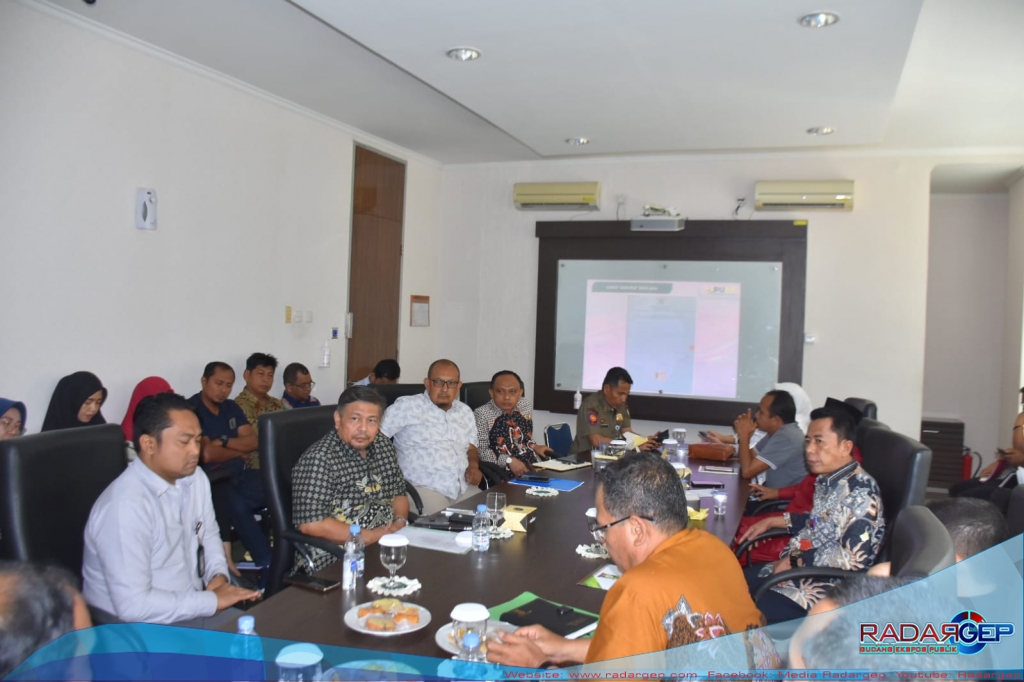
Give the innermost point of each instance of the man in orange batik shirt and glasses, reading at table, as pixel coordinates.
(679, 585)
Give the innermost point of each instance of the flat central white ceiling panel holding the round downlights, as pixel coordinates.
(653, 75)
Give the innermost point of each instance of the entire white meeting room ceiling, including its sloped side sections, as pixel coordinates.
(634, 77)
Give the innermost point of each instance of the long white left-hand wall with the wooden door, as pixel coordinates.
(254, 214)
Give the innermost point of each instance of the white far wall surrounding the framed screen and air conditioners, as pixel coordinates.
(868, 271)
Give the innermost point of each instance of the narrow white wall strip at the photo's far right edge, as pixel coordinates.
(1013, 348)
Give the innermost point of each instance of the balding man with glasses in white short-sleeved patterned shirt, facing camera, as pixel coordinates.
(436, 437)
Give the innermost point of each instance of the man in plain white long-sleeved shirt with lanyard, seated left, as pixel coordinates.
(153, 551)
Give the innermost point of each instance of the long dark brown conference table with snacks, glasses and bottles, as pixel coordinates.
(543, 562)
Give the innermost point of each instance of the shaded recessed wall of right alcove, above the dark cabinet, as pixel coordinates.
(966, 307)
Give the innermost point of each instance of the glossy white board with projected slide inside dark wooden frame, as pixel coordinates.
(690, 329)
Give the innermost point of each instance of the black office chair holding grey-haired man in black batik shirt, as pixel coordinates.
(284, 438)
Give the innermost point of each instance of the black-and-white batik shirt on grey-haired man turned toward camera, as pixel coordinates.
(332, 481)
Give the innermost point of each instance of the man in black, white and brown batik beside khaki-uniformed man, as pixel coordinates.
(505, 427)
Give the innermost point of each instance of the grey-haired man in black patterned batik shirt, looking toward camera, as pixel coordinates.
(351, 476)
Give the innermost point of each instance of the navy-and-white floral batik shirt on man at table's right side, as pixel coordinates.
(844, 530)
